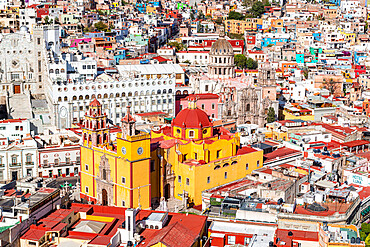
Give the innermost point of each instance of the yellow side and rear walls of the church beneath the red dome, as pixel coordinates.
(198, 175)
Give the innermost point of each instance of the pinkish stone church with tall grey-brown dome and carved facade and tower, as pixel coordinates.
(241, 98)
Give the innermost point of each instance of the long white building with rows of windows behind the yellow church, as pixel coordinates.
(147, 88)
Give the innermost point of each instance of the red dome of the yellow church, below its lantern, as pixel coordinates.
(192, 118)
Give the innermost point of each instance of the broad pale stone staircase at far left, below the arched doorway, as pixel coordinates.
(19, 106)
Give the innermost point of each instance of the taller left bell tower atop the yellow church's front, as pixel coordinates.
(95, 129)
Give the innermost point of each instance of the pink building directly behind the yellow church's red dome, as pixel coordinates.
(208, 102)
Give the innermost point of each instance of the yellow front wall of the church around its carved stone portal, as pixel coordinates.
(136, 172)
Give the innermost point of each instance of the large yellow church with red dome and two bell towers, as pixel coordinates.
(178, 161)
